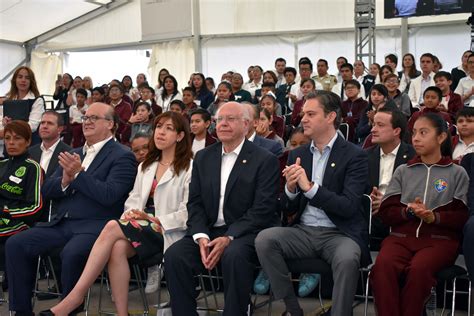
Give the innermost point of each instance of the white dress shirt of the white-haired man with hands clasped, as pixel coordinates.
(227, 164)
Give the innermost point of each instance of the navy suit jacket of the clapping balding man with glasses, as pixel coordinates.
(97, 194)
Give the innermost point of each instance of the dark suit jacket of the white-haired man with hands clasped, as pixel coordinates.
(250, 202)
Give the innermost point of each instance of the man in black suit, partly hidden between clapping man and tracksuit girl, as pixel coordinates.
(389, 152)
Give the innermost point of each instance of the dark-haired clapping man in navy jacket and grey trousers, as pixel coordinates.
(325, 181)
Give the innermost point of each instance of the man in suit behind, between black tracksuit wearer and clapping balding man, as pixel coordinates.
(47, 153)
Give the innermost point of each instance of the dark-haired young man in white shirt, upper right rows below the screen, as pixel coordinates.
(425, 80)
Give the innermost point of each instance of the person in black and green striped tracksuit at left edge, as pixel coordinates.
(20, 192)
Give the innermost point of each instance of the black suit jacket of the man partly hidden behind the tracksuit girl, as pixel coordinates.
(405, 153)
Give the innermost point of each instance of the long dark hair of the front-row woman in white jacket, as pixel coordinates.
(183, 151)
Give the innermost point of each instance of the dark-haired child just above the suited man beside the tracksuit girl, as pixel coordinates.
(377, 99)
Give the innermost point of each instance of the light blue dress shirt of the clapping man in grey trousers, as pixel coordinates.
(313, 216)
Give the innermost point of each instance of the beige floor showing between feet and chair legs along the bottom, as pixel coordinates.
(310, 305)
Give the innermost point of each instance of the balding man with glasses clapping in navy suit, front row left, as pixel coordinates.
(91, 184)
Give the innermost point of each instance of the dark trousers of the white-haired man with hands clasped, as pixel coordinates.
(183, 263)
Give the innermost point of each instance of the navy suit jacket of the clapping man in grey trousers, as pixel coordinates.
(340, 195)
